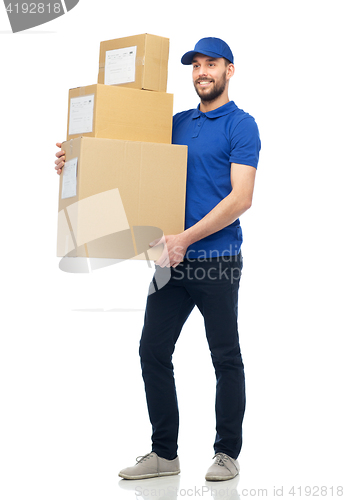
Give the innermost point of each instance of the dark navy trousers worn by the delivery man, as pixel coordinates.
(211, 285)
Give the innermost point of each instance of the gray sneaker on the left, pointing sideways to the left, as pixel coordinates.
(151, 465)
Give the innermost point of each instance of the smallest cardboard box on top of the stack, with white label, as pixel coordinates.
(139, 62)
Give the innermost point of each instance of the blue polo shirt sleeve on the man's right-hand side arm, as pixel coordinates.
(245, 143)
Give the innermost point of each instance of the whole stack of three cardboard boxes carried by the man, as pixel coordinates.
(123, 183)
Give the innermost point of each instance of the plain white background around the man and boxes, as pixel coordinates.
(73, 410)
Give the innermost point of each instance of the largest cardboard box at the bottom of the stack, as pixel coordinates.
(118, 196)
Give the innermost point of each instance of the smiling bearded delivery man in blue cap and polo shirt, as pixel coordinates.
(206, 262)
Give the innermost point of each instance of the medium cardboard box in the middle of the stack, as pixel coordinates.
(119, 113)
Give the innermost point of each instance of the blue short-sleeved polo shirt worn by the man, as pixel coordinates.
(215, 140)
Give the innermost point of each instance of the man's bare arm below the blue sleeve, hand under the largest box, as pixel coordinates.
(222, 215)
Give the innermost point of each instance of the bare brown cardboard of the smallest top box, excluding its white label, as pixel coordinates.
(151, 65)
